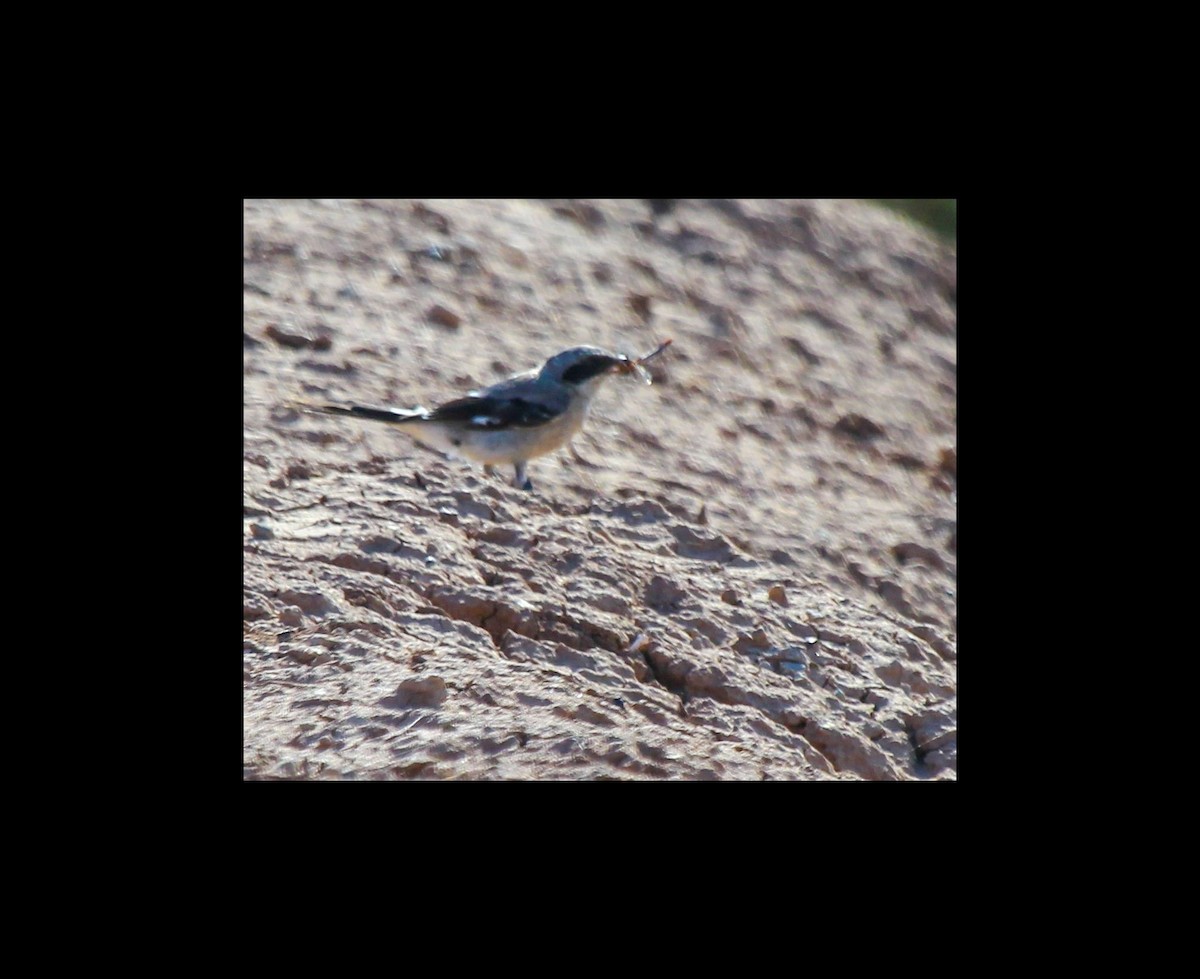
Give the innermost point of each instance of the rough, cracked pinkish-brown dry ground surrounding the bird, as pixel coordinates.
(743, 572)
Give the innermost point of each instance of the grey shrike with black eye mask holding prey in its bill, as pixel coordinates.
(517, 421)
